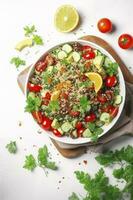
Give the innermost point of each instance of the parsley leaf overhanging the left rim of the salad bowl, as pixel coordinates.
(33, 104)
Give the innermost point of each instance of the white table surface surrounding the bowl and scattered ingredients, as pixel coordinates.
(15, 182)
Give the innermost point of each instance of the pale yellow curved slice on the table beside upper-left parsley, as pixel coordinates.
(24, 43)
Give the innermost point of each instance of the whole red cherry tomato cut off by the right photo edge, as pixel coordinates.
(125, 41)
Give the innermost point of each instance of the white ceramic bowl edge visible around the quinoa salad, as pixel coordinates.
(106, 128)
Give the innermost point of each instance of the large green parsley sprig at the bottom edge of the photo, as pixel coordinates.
(98, 187)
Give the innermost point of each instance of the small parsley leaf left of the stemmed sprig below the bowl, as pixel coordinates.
(30, 163)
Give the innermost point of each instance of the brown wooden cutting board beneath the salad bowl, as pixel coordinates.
(71, 153)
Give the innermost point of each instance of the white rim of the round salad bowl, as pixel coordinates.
(80, 141)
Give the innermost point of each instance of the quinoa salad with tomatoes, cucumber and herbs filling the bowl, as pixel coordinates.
(74, 91)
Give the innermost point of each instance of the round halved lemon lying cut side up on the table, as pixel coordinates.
(66, 18)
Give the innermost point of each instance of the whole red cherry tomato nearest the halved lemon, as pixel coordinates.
(104, 25)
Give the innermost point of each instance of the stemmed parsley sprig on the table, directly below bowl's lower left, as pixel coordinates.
(43, 159)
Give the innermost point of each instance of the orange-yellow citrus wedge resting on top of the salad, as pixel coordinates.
(96, 79)
